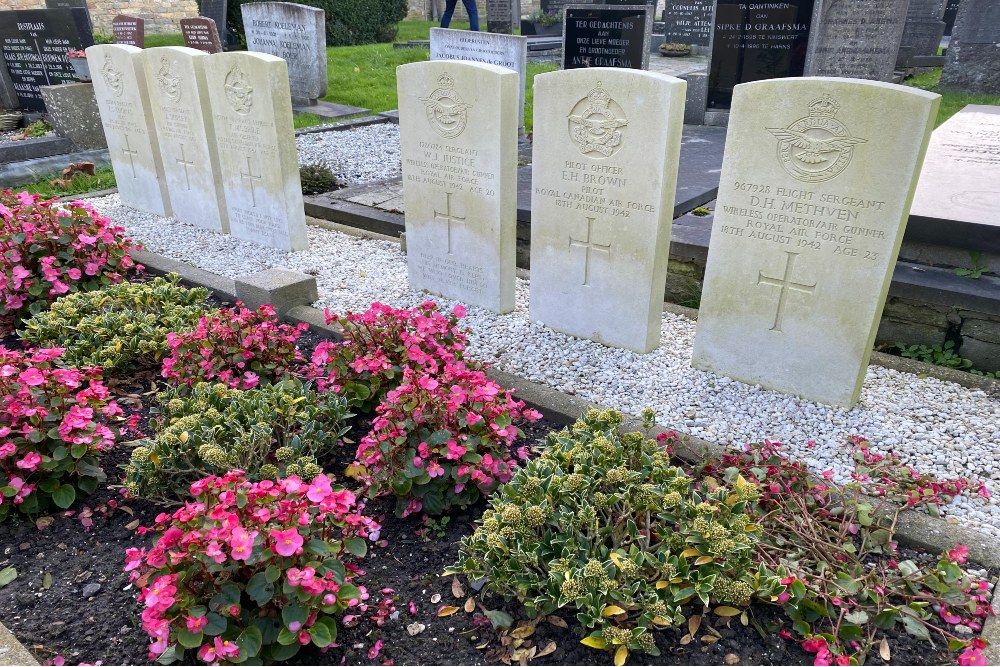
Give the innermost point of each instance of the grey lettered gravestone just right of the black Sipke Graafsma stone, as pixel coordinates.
(857, 39)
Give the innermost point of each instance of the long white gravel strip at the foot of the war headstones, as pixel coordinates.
(933, 425)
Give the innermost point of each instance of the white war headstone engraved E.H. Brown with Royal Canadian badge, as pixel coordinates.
(606, 147)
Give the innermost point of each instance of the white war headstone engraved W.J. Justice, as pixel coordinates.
(458, 134)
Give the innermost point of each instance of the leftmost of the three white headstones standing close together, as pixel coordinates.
(122, 99)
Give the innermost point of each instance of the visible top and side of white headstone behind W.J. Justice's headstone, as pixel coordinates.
(510, 51)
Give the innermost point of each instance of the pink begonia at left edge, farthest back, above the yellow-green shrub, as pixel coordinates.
(49, 249)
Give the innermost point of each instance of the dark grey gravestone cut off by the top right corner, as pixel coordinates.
(974, 52)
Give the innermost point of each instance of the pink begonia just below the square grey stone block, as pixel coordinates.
(238, 347)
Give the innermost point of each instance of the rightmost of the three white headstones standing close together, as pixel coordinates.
(255, 140)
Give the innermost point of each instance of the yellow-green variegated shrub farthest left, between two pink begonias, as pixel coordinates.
(119, 327)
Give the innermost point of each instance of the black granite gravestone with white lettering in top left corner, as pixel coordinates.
(33, 44)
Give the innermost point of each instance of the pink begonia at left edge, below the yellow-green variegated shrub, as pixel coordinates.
(49, 430)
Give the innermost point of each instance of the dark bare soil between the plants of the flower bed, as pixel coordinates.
(71, 597)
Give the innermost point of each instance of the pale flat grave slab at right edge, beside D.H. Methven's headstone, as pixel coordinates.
(960, 181)
